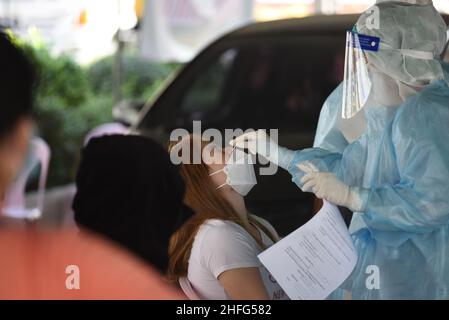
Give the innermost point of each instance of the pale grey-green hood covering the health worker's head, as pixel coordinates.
(403, 26)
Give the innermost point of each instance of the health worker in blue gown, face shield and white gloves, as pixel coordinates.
(382, 150)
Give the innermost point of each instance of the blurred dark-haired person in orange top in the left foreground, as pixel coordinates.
(51, 263)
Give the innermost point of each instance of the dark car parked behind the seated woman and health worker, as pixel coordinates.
(266, 75)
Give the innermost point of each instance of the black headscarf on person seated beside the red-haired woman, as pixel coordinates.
(129, 191)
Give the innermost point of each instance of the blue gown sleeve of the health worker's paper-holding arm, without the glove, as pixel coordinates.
(419, 201)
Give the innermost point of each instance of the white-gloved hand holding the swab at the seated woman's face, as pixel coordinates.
(258, 142)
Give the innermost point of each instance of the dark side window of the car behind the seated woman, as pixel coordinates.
(265, 85)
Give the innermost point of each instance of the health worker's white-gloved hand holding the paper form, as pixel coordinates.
(326, 186)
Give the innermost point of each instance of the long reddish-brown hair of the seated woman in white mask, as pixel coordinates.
(208, 203)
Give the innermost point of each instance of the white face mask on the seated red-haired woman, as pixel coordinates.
(240, 172)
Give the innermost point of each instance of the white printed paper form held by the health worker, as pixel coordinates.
(311, 262)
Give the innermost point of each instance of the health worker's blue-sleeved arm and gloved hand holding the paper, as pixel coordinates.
(418, 202)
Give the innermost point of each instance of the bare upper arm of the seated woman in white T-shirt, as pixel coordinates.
(253, 288)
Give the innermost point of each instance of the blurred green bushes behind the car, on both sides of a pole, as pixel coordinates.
(71, 100)
